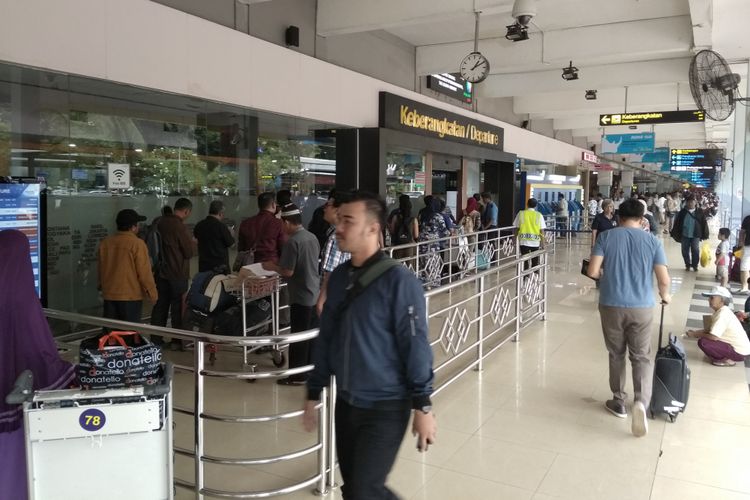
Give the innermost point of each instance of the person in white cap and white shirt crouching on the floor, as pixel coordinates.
(725, 342)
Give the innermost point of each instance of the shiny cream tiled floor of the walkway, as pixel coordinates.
(532, 425)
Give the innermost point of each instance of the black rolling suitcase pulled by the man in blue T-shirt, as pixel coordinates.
(671, 377)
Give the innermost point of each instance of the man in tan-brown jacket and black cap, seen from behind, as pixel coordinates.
(125, 270)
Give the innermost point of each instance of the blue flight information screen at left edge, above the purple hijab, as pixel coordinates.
(21, 209)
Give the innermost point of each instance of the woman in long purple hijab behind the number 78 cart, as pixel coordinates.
(25, 344)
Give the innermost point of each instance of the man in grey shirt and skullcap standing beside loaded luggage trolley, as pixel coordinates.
(299, 265)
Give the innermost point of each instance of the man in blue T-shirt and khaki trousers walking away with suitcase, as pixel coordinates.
(626, 302)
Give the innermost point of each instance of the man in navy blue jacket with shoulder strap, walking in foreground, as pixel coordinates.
(374, 339)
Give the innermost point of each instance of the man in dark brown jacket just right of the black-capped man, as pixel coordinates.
(173, 275)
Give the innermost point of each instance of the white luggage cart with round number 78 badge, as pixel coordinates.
(105, 443)
